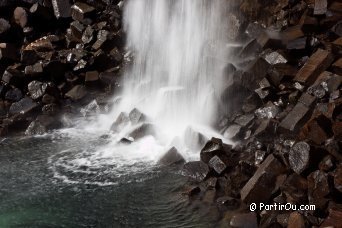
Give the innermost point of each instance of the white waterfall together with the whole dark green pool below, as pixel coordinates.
(83, 177)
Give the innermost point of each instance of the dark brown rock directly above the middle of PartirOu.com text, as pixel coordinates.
(295, 189)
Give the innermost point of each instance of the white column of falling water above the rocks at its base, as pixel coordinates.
(178, 48)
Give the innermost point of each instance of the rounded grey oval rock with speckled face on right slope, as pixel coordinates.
(299, 157)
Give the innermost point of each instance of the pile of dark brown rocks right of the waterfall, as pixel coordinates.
(284, 108)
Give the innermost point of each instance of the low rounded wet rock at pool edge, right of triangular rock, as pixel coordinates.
(197, 170)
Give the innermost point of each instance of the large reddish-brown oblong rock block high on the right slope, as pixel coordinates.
(316, 64)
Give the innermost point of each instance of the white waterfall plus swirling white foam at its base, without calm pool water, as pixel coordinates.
(174, 79)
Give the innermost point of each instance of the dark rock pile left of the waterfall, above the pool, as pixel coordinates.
(56, 56)
